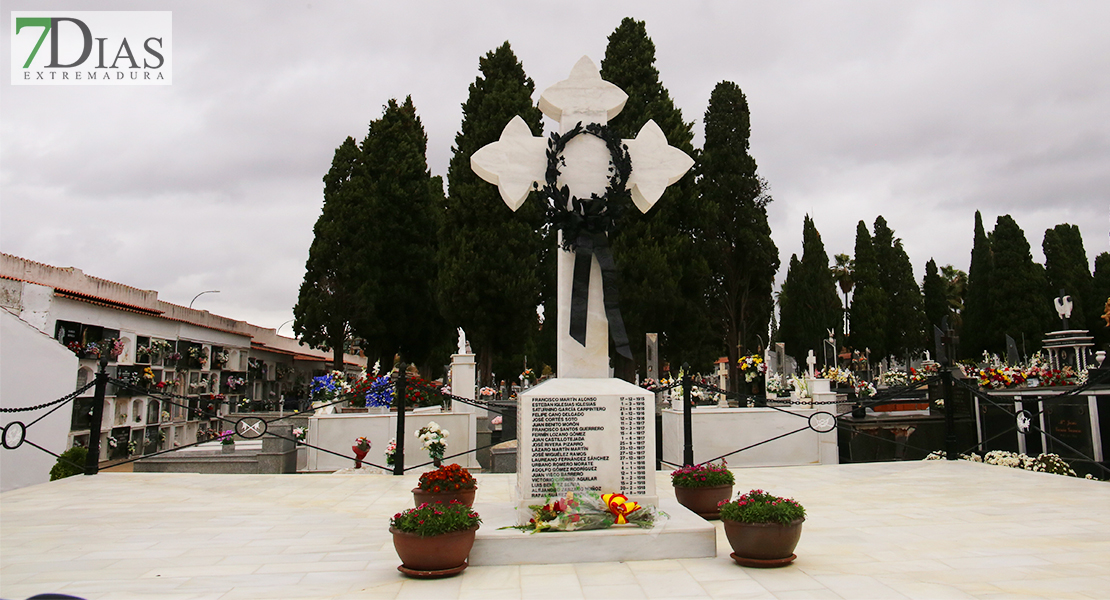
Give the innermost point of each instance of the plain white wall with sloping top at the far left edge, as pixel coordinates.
(34, 370)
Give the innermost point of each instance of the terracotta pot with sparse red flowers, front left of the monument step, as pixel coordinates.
(435, 540)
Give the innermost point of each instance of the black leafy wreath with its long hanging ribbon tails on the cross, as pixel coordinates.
(587, 225)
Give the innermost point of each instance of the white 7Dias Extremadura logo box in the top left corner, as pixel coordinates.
(110, 48)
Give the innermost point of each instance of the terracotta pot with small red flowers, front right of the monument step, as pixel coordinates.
(763, 528)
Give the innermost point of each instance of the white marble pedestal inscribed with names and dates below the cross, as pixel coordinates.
(592, 433)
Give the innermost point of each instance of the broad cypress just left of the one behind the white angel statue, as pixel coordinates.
(1017, 291)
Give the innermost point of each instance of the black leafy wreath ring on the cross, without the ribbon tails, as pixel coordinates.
(576, 217)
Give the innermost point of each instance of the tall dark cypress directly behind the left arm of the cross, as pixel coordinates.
(495, 263)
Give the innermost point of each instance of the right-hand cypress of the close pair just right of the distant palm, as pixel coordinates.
(905, 332)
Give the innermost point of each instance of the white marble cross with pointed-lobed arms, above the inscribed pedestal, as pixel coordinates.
(518, 164)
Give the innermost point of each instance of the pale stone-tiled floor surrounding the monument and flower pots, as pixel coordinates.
(876, 531)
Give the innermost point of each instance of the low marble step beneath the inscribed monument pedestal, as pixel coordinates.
(682, 535)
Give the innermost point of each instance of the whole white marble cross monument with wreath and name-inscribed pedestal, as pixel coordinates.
(583, 426)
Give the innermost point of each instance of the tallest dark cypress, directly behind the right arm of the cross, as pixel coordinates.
(663, 277)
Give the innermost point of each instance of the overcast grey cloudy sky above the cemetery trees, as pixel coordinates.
(923, 113)
